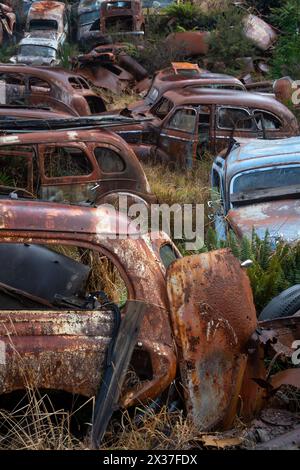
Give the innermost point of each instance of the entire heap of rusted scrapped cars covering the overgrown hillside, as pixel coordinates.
(184, 327)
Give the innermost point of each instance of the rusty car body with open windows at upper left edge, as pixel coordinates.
(58, 89)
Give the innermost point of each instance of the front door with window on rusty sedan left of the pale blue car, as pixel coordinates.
(178, 138)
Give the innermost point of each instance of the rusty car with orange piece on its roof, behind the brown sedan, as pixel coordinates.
(184, 75)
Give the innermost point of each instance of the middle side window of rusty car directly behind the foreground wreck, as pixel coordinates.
(66, 161)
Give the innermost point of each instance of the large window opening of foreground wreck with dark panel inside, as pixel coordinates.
(59, 276)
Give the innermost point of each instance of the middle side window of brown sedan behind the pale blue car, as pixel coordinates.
(240, 119)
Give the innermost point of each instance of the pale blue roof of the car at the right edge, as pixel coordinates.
(261, 153)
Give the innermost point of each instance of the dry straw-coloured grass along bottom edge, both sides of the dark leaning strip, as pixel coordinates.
(37, 425)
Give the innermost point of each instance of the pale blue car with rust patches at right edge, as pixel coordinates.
(257, 188)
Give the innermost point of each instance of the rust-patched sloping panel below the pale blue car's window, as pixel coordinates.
(281, 219)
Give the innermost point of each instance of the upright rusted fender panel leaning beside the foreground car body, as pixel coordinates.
(213, 318)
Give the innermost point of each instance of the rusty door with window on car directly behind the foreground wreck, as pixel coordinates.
(69, 173)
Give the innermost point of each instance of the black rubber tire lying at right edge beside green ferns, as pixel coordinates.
(286, 304)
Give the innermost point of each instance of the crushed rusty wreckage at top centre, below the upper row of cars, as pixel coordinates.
(110, 67)
